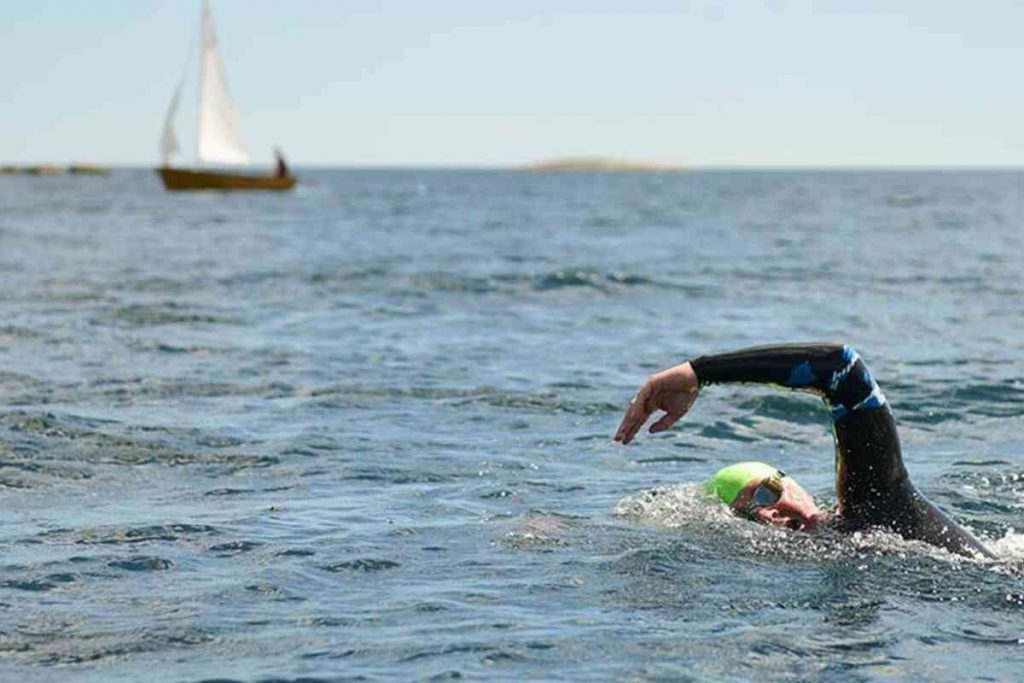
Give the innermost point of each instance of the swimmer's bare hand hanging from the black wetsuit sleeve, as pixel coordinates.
(672, 391)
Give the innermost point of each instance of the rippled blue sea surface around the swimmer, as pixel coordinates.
(363, 432)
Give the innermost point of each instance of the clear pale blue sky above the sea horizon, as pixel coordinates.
(494, 83)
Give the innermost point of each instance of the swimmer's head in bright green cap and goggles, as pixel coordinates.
(764, 493)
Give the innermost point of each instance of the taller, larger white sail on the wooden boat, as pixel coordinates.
(220, 142)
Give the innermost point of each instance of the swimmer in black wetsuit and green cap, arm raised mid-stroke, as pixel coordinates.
(872, 484)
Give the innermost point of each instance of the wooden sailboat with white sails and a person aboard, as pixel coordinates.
(219, 140)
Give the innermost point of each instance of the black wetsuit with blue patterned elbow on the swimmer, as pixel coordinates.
(872, 483)
